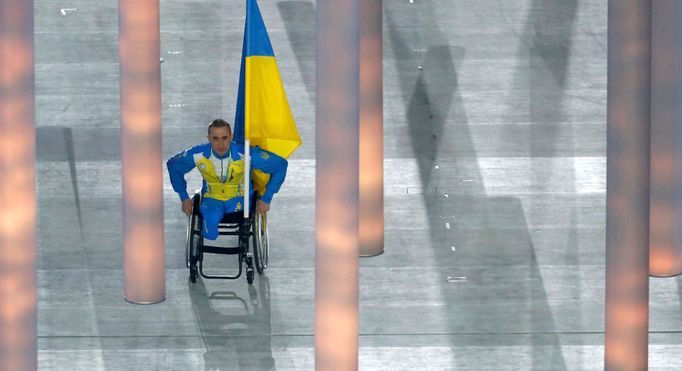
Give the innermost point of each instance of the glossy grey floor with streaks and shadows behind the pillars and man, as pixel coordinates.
(495, 194)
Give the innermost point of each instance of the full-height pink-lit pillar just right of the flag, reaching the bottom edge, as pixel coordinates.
(337, 195)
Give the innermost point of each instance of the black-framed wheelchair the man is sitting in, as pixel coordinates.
(233, 224)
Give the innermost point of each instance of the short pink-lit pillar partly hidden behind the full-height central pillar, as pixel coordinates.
(371, 222)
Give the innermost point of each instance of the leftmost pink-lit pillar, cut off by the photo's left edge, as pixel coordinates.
(18, 296)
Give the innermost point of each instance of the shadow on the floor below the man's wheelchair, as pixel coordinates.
(236, 332)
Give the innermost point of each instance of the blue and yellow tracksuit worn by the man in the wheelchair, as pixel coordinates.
(222, 187)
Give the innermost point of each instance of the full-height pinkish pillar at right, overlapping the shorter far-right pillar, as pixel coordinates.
(627, 184)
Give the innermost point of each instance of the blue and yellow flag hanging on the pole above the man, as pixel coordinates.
(262, 114)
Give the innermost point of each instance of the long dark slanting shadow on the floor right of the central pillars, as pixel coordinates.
(435, 109)
